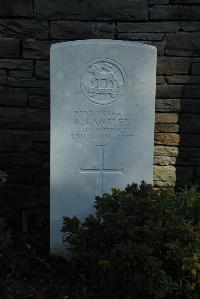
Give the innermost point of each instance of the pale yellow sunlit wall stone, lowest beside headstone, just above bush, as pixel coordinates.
(165, 175)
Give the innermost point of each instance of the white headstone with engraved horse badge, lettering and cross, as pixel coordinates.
(102, 123)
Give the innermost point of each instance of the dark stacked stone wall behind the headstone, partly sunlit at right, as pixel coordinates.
(29, 27)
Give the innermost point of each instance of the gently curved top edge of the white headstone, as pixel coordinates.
(103, 42)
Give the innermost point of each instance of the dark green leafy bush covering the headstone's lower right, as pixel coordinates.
(142, 243)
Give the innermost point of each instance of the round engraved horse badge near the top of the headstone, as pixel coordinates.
(103, 81)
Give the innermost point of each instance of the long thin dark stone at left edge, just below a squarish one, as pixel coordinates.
(12, 64)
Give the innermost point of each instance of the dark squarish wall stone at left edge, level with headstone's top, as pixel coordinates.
(9, 48)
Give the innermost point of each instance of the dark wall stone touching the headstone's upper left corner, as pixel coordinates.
(36, 49)
